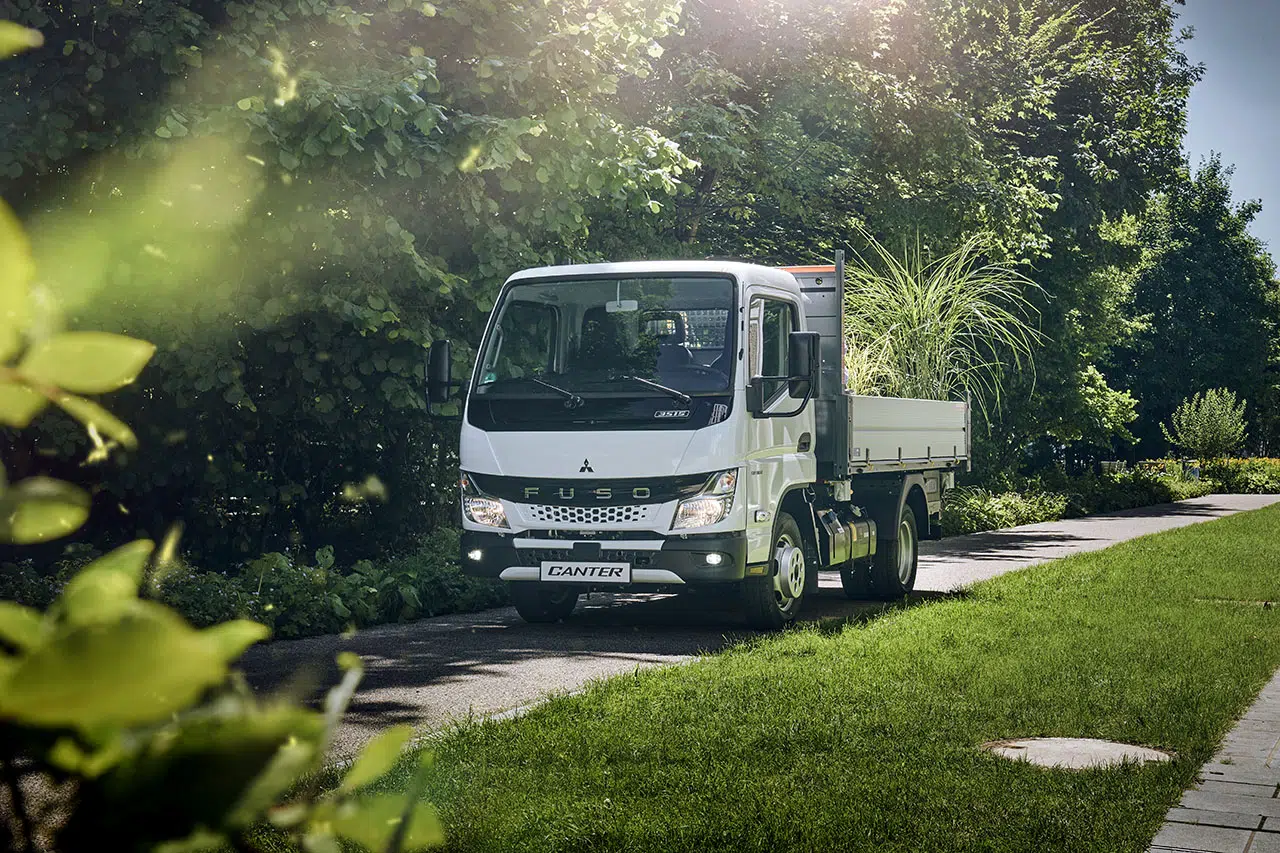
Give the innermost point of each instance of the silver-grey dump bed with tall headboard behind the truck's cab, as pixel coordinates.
(866, 435)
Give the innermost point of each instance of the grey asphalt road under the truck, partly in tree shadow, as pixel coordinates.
(437, 670)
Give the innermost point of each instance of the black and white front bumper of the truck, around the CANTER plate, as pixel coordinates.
(655, 563)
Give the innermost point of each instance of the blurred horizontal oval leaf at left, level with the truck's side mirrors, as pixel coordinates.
(88, 363)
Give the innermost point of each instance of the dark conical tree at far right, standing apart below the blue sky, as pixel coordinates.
(1209, 303)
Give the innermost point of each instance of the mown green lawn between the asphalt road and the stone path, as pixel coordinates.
(865, 737)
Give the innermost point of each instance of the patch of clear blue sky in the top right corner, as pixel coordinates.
(1236, 108)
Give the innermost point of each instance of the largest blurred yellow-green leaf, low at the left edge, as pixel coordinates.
(139, 669)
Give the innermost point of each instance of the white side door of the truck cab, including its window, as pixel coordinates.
(780, 448)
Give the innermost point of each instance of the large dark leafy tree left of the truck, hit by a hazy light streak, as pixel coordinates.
(298, 199)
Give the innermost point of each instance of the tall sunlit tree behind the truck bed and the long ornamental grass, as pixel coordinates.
(1044, 124)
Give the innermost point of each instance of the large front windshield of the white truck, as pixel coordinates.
(600, 336)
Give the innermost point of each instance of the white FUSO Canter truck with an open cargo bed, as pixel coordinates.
(670, 426)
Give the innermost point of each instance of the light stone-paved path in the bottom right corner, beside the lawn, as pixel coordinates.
(1233, 808)
